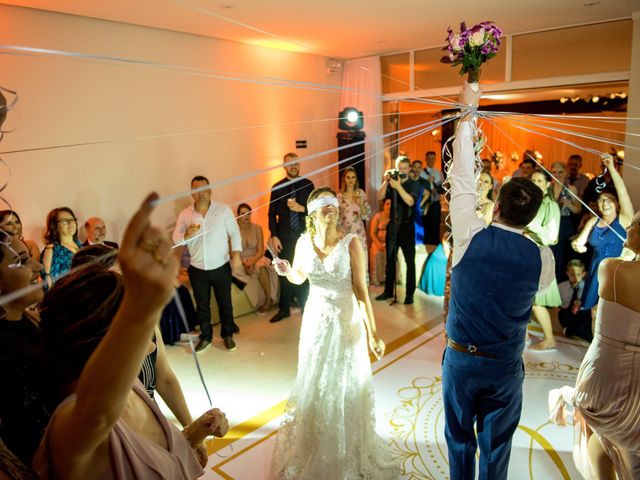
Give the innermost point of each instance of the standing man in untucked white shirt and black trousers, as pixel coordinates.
(208, 228)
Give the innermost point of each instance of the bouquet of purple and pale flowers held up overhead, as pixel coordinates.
(472, 47)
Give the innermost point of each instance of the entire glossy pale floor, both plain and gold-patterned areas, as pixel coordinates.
(252, 383)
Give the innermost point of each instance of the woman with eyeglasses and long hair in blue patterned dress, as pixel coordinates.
(62, 243)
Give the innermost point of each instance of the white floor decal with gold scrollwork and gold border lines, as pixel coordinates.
(410, 416)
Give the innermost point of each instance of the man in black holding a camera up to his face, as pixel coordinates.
(403, 193)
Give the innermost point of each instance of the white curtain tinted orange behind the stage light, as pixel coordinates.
(362, 89)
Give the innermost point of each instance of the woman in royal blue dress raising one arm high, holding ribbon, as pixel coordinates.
(606, 234)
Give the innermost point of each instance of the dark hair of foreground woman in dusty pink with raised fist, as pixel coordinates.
(74, 318)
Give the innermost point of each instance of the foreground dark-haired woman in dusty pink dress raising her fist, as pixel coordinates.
(97, 325)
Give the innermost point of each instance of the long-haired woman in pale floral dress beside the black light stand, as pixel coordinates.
(354, 208)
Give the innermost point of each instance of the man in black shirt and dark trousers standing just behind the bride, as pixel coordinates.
(287, 214)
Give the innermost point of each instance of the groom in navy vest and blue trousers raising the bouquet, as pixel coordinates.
(496, 273)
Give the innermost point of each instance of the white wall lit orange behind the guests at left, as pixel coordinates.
(70, 101)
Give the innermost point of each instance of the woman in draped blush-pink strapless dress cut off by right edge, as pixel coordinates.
(607, 393)
